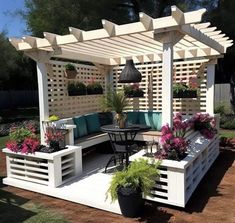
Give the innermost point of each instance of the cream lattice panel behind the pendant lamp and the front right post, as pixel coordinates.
(152, 86)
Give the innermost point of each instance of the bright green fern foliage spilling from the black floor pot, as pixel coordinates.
(139, 174)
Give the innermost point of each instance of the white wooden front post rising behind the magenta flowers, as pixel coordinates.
(167, 81)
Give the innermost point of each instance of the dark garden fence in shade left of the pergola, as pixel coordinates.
(14, 99)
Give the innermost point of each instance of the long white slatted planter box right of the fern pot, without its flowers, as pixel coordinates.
(179, 179)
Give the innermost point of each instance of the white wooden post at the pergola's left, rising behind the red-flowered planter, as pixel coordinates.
(43, 96)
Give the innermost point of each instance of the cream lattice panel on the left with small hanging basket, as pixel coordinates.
(67, 106)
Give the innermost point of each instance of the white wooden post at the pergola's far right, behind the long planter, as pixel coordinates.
(210, 86)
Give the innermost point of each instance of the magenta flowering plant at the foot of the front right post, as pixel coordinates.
(173, 143)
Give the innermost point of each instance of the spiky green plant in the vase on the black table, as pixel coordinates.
(114, 101)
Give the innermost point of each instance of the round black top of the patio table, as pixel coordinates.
(129, 128)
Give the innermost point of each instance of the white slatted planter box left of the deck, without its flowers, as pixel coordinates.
(51, 169)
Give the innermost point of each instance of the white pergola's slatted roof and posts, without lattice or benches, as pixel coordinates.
(180, 36)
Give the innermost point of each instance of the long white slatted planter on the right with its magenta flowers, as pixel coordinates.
(186, 156)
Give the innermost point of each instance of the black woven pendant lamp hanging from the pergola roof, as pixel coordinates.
(129, 74)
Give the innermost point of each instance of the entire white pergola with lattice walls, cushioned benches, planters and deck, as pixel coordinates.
(177, 47)
